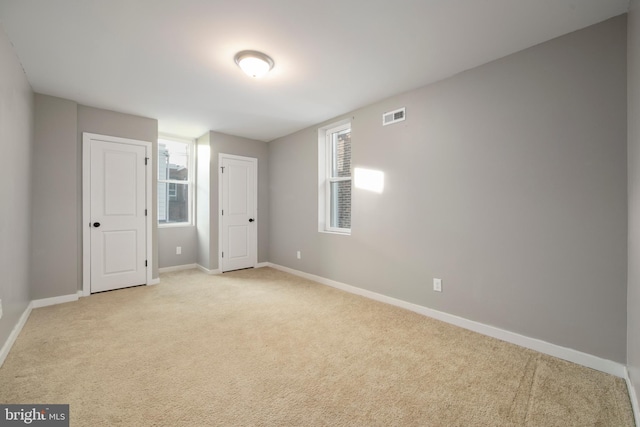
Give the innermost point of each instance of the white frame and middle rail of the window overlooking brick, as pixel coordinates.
(324, 177)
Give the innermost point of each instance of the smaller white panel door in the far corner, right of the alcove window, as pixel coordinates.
(238, 212)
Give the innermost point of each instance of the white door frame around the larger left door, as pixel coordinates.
(86, 203)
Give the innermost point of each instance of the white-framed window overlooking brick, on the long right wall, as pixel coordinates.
(334, 166)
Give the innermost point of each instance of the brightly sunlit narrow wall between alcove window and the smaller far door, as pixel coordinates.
(203, 201)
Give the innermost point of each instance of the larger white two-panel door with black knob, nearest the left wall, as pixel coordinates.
(118, 217)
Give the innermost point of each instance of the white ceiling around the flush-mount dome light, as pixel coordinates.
(173, 59)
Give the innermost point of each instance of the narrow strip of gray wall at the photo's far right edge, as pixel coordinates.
(633, 120)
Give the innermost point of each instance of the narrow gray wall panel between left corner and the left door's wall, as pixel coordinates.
(55, 254)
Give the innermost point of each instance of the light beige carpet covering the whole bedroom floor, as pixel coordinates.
(264, 348)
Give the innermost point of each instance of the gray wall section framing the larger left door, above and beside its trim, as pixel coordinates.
(105, 122)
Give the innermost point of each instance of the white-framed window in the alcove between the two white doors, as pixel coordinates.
(175, 178)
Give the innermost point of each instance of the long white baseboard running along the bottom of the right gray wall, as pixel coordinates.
(575, 356)
